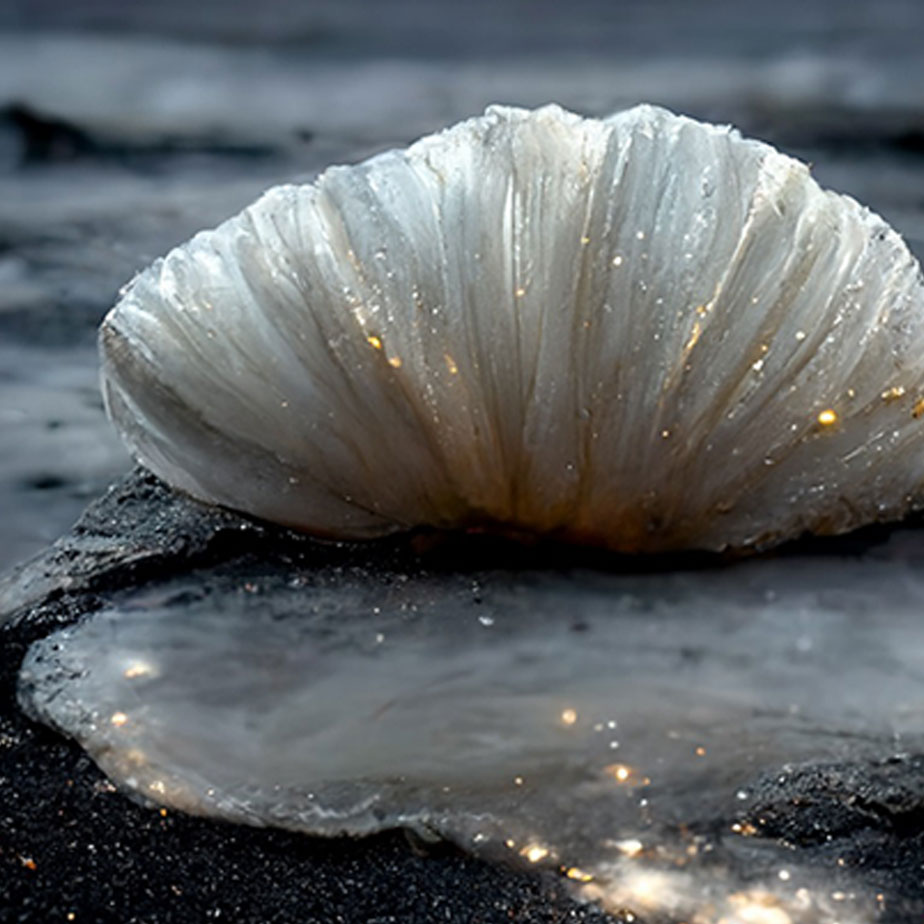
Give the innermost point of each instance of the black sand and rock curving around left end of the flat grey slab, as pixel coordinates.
(71, 845)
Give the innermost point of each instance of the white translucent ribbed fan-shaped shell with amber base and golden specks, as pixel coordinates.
(642, 332)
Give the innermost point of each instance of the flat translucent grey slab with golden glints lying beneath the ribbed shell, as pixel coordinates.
(606, 726)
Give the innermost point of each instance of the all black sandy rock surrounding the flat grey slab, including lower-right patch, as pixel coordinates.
(70, 843)
